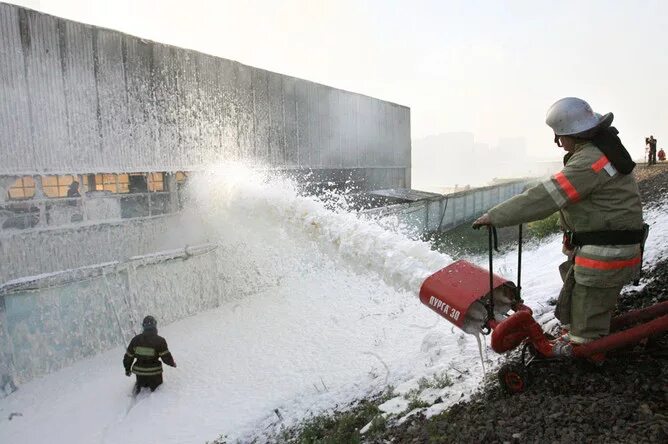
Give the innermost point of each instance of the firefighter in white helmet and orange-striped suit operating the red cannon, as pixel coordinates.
(600, 211)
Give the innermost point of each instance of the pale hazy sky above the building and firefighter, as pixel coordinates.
(488, 67)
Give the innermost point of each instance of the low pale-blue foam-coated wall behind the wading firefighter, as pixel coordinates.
(49, 322)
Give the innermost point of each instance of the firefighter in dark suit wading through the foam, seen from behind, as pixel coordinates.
(147, 348)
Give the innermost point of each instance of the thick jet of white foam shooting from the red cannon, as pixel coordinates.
(236, 202)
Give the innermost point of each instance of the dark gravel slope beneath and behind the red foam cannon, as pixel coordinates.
(623, 400)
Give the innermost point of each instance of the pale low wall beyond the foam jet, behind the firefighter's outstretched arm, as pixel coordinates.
(451, 210)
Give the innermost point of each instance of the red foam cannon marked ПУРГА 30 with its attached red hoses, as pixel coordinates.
(463, 294)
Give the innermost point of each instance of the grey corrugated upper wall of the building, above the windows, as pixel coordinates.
(81, 99)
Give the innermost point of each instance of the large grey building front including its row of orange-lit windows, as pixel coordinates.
(99, 127)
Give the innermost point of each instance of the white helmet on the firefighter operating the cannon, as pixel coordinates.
(572, 116)
